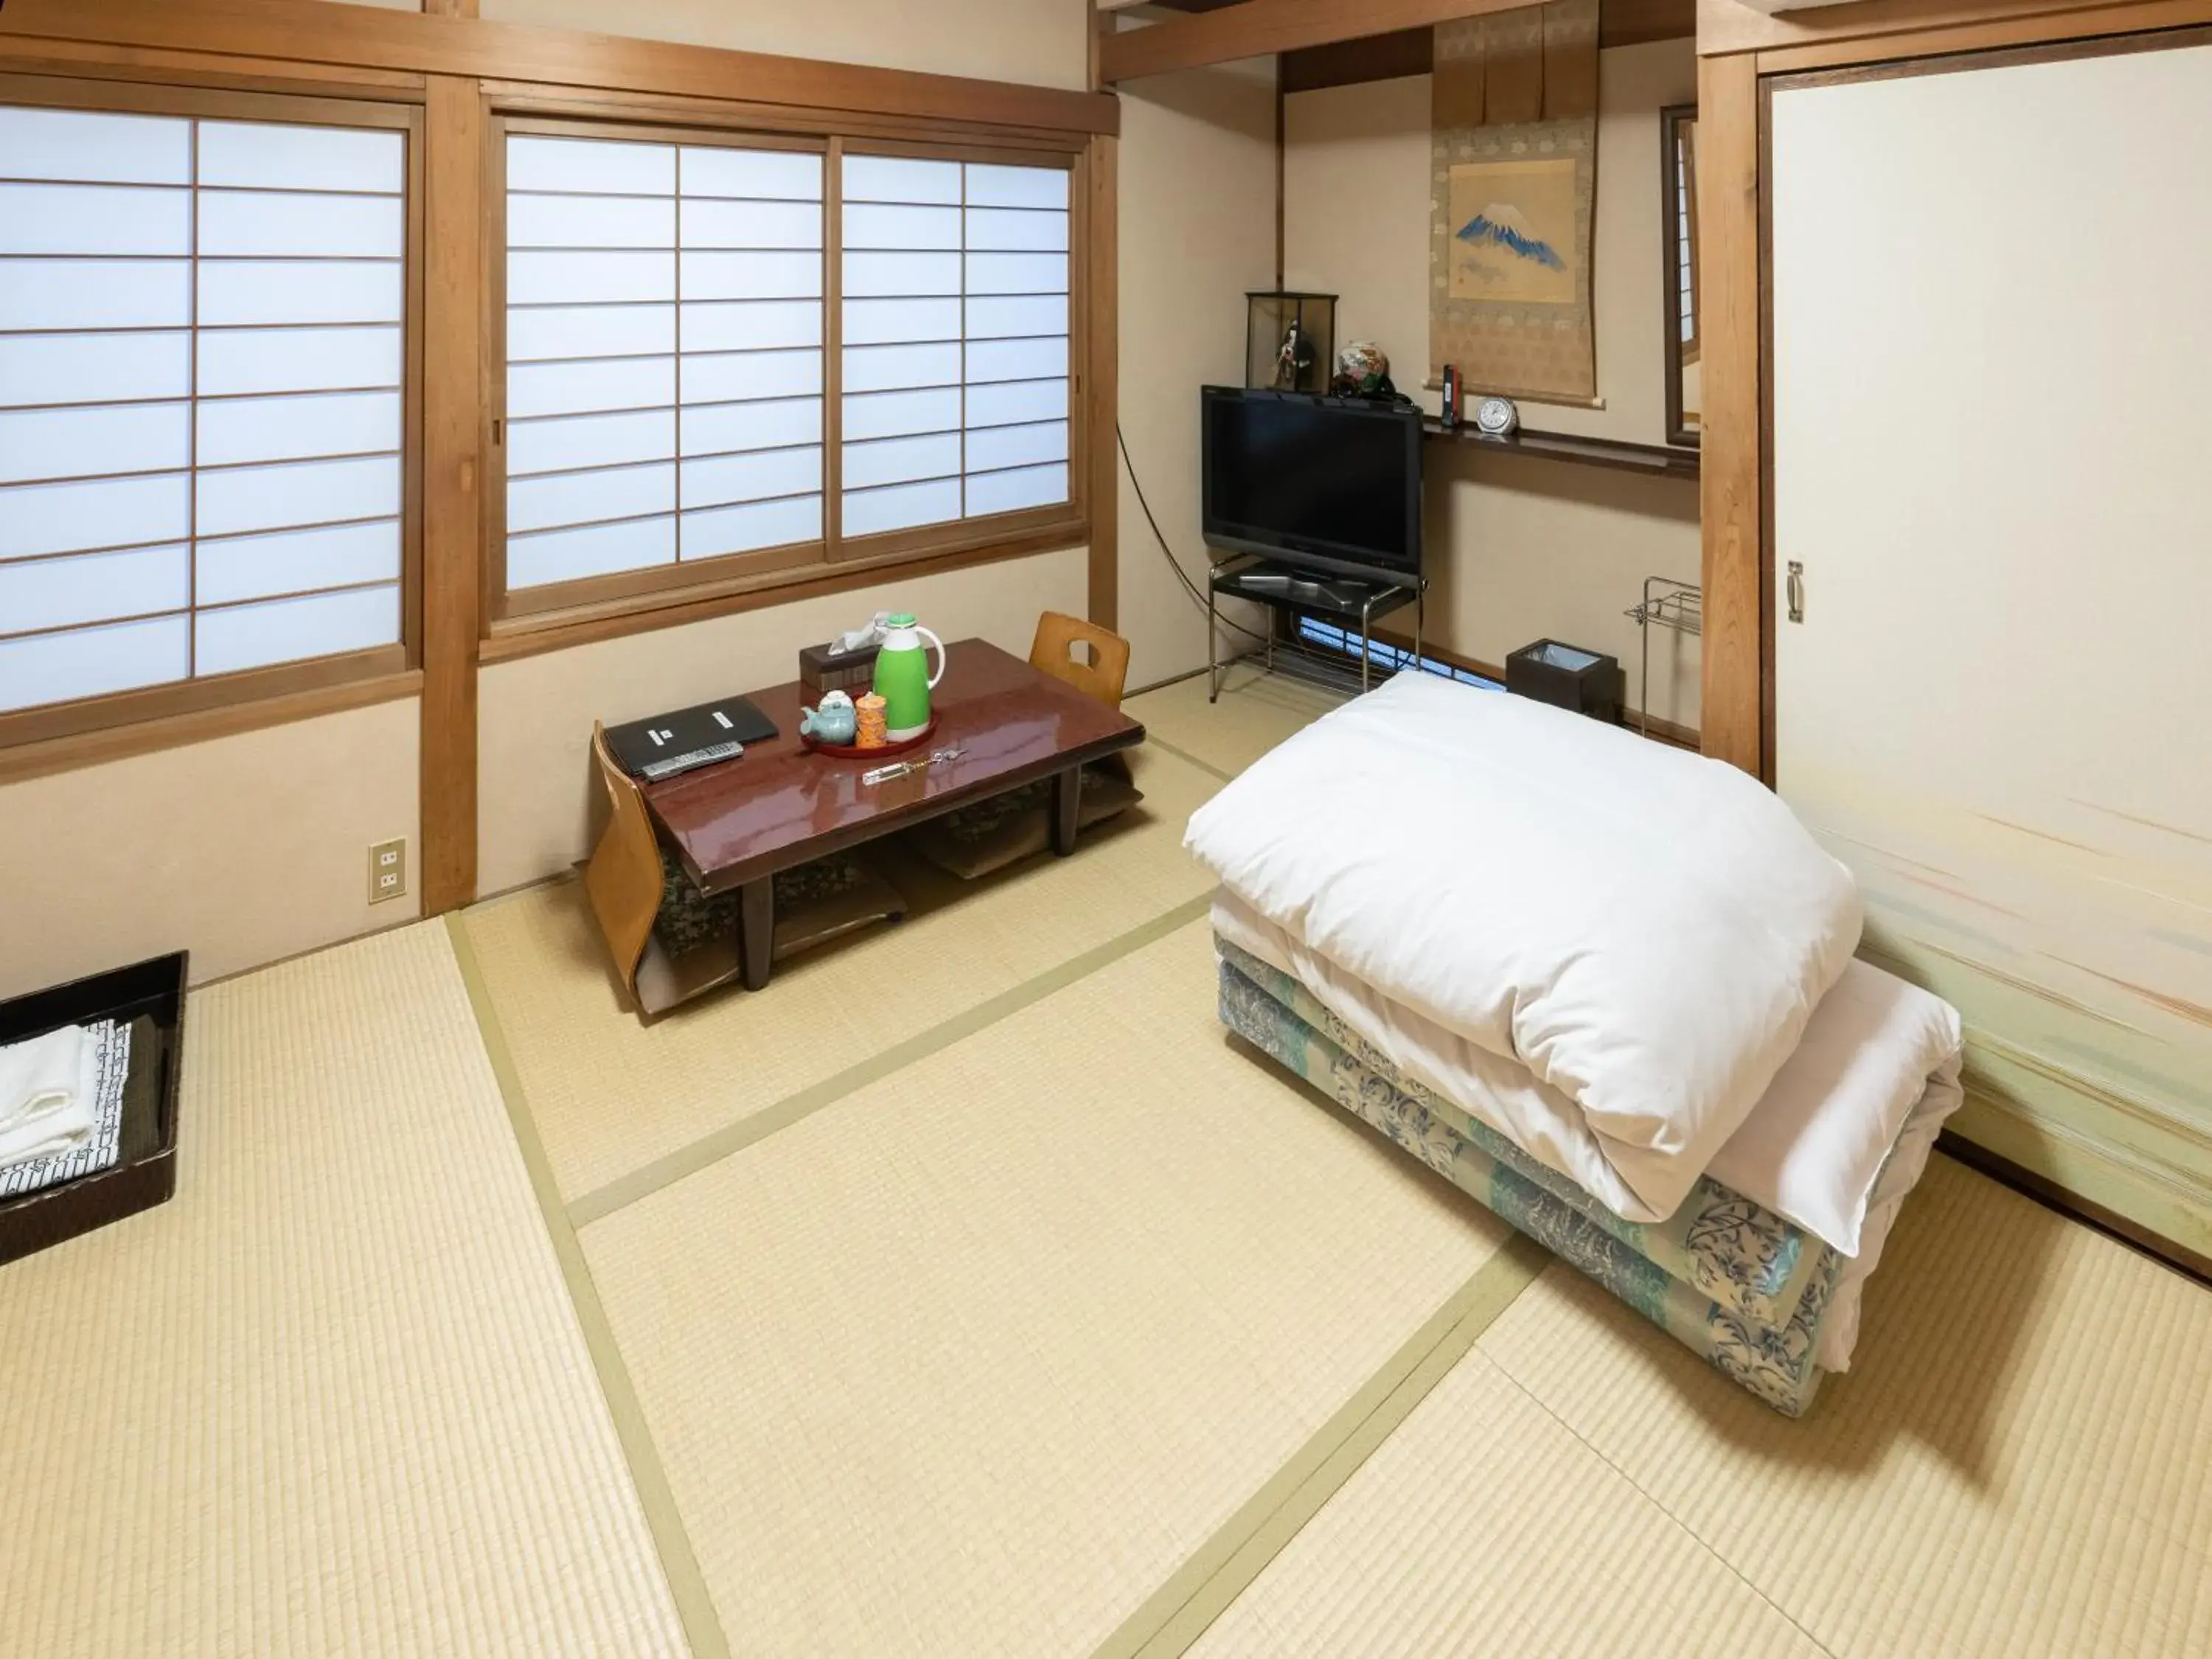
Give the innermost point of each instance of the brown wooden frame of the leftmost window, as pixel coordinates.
(32, 740)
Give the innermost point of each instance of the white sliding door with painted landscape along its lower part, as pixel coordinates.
(1990, 359)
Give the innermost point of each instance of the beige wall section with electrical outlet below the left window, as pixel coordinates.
(240, 851)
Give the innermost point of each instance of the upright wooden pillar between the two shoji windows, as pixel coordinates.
(452, 466)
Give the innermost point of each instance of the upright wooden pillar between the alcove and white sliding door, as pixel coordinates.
(1735, 685)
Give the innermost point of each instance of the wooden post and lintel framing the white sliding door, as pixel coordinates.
(1742, 56)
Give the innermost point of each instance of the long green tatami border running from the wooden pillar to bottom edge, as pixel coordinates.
(696, 1607)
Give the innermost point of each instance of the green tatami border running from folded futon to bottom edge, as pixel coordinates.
(1240, 1552)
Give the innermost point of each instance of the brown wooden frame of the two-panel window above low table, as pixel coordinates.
(556, 616)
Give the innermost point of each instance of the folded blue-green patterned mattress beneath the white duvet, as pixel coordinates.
(1731, 1282)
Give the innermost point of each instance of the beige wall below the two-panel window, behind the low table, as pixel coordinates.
(536, 795)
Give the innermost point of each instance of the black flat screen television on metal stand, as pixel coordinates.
(1324, 483)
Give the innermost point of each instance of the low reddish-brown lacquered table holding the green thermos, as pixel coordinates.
(780, 806)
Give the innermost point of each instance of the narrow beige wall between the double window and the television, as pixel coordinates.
(1198, 233)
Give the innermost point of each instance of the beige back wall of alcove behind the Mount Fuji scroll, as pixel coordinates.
(1521, 550)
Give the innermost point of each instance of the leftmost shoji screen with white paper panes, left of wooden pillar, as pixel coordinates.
(202, 366)
